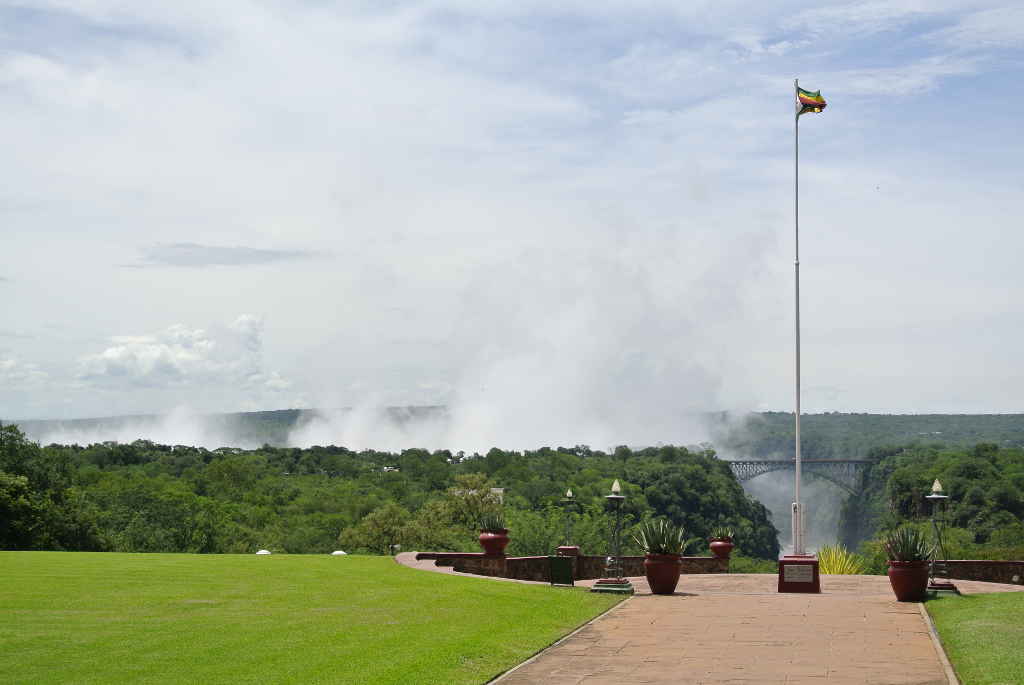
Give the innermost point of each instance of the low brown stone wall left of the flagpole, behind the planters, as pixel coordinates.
(538, 569)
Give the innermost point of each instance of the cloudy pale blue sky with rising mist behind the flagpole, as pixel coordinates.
(563, 221)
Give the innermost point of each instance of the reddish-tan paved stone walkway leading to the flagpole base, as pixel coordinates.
(738, 629)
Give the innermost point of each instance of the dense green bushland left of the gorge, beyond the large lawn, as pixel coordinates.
(153, 498)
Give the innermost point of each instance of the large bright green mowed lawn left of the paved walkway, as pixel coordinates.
(108, 618)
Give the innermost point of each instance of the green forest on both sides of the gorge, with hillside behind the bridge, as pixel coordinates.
(144, 497)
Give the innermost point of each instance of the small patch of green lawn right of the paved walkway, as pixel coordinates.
(983, 635)
